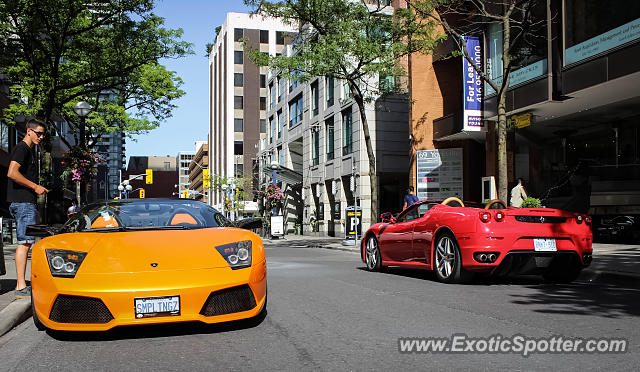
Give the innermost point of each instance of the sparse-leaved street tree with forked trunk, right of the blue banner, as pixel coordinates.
(520, 33)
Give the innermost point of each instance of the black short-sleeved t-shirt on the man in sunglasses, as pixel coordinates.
(23, 155)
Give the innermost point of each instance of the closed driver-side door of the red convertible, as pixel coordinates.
(396, 241)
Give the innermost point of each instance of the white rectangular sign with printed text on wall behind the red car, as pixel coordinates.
(439, 174)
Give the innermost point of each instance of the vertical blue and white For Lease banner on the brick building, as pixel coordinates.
(472, 105)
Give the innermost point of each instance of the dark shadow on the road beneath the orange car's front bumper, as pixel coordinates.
(158, 330)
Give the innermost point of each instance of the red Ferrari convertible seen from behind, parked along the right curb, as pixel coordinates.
(456, 241)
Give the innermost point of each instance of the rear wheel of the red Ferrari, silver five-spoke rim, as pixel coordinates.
(447, 260)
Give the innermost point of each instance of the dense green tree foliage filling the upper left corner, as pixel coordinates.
(106, 52)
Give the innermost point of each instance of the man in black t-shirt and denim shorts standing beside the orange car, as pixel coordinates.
(22, 191)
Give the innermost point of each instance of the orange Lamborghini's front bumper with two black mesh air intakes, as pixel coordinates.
(98, 302)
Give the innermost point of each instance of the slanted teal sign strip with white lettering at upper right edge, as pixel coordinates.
(603, 42)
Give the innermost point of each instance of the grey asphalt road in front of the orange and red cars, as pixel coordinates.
(326, 312)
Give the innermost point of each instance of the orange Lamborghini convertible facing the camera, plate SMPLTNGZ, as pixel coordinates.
(142, 261)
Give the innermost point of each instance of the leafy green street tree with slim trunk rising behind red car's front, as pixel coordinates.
(358, 42)
